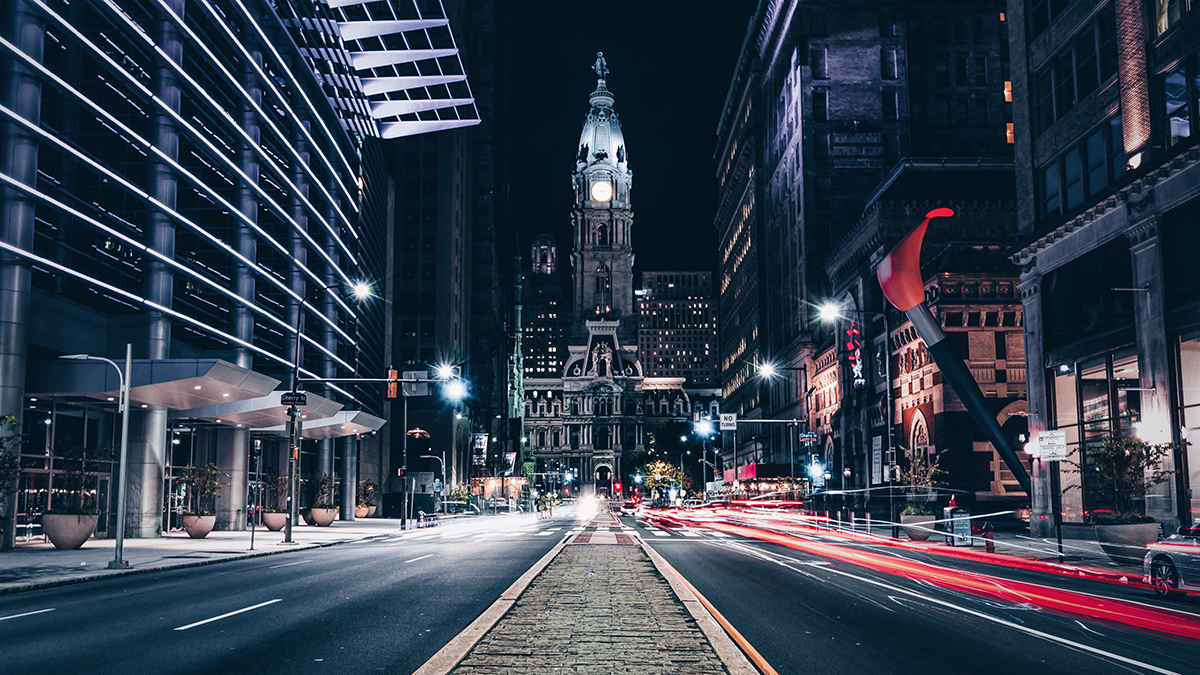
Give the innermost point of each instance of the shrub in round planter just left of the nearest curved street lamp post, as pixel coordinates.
(73, 516)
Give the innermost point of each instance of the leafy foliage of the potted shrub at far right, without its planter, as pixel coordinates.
(1118, 471)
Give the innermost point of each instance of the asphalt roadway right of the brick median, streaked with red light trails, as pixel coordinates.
(809, 614)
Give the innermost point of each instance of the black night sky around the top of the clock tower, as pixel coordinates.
(670, 65)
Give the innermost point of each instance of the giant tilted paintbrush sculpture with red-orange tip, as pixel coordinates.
(902, 283)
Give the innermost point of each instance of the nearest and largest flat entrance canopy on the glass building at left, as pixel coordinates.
(157, 384)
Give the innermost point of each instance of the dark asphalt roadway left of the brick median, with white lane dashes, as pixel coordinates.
(383, 606)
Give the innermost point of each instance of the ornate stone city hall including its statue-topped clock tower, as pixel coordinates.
(597, 415)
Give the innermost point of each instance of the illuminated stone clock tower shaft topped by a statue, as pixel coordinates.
(603, 254)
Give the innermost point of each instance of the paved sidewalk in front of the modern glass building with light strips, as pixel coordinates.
(40, 565)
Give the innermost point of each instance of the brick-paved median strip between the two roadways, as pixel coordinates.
(596, 610)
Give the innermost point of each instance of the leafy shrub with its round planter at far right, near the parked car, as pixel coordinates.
(1119, 473)
